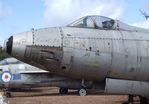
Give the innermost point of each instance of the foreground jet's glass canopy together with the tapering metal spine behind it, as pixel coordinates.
(104, 23)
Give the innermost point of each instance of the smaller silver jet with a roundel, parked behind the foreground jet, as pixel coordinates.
(15, 74)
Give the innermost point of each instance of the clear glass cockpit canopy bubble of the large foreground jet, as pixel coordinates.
(98, 22)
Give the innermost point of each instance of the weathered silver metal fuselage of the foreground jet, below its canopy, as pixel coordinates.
(85, 53)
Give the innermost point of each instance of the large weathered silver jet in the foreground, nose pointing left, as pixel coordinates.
(93, 48)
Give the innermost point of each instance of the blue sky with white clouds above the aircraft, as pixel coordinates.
(23, 15)
